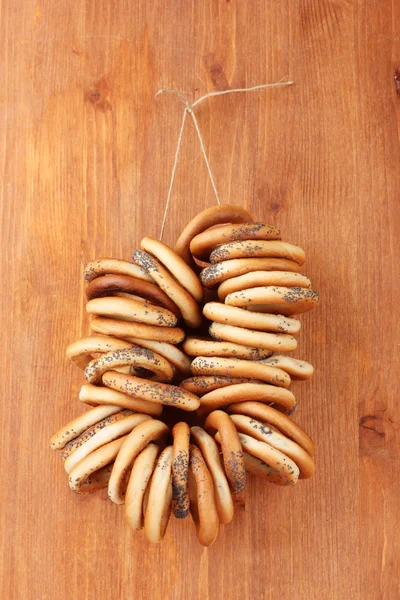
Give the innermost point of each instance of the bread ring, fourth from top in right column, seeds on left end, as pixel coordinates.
(216, 274)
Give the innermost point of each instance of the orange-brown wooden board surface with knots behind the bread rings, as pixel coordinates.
(86, 155)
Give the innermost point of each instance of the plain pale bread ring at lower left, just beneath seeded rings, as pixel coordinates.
(103, 437)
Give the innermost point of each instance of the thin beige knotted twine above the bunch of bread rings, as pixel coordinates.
(189, 110)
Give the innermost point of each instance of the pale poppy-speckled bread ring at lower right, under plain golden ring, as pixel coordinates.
(263, 433)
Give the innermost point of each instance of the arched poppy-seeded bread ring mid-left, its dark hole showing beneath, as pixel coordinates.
(135, 356)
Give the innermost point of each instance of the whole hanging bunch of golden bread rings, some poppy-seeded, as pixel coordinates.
(204, 328)
